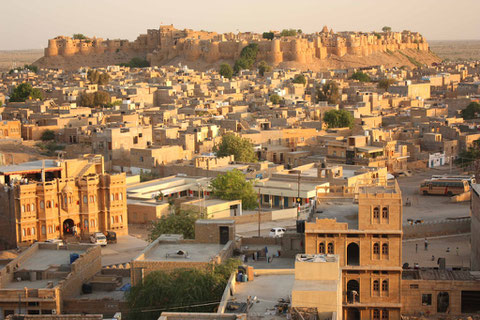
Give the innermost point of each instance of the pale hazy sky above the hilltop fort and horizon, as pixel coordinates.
(26, 24)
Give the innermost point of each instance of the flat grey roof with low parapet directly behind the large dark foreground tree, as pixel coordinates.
(197, 252)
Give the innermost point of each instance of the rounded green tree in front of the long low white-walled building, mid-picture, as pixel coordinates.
(234, 186)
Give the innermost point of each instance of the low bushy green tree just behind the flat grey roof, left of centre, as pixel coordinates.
(178, 222)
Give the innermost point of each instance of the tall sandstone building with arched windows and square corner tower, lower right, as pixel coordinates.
(367, 237)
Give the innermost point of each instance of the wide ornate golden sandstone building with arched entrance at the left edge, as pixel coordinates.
(44, 200)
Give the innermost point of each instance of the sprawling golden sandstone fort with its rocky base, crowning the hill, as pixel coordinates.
(169, 45)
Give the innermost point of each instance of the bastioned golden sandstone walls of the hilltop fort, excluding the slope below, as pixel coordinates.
(167, 43)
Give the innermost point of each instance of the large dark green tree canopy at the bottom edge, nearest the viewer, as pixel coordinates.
(180, 290)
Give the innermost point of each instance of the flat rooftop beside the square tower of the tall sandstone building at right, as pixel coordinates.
(343, 212)
